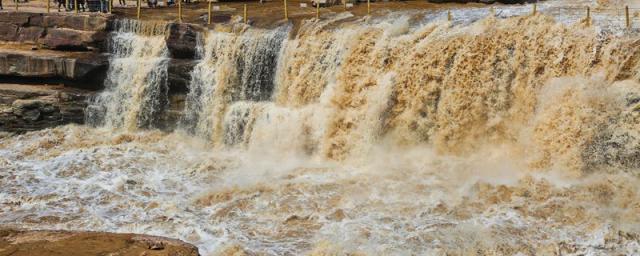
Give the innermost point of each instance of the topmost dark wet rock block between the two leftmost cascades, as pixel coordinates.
(182, 40)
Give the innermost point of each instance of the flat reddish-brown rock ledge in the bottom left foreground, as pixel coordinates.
(64, 243)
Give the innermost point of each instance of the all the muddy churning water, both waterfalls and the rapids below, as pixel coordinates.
(515, 136)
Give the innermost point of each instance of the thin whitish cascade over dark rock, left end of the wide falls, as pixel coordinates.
(234, 67)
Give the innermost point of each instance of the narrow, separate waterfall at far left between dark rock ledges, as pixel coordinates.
(135, 94)
